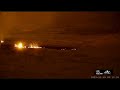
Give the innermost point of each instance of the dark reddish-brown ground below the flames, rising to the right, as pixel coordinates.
(94, 52)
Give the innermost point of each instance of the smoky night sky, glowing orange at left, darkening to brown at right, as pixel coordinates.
(54, 24)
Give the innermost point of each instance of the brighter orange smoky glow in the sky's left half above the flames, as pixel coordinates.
(20, 22)
